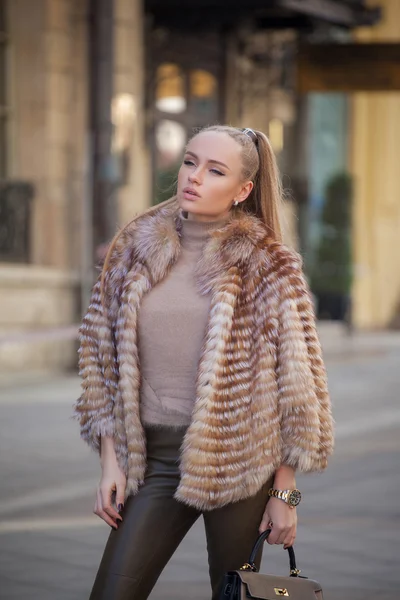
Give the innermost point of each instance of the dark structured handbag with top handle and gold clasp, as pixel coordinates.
(247, 582)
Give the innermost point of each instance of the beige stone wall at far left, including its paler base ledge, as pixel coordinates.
(48, 91)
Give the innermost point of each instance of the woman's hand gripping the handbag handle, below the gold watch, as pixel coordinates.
(282, 520)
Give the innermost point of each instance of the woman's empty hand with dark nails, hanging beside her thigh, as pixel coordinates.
(113, 481)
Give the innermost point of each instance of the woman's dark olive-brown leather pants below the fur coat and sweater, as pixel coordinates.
(154, 524)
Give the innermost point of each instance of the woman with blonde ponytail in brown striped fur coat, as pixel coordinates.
(204, 388)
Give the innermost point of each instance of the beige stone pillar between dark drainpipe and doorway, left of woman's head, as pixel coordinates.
(129, 81)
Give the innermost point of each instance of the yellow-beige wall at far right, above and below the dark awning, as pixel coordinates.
(375, 150)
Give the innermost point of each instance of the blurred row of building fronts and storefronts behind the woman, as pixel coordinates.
(98, 99)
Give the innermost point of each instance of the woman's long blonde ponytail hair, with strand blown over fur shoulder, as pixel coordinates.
(259, 166)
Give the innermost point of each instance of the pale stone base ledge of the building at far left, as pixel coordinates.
(37, 305)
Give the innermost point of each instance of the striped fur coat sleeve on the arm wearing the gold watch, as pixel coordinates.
(304, 403)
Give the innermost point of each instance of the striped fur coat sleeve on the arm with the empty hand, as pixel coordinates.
(97, 368)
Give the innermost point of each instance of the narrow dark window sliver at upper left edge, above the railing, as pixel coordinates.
(3, 91)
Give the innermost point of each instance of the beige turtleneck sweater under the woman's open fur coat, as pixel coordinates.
(172, 322)
